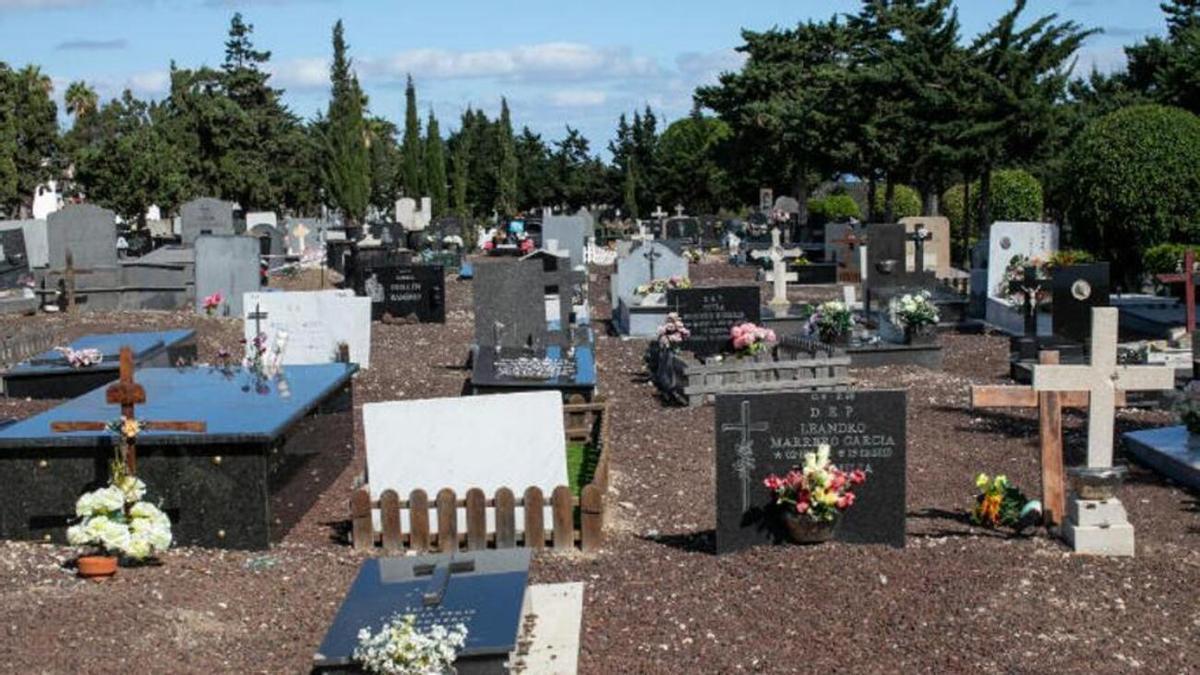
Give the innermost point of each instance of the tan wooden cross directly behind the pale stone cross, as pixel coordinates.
(1049, 405)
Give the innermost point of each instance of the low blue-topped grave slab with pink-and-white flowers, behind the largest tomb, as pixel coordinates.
(50, 377)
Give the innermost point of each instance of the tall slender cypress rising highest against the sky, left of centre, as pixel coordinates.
(347, 170)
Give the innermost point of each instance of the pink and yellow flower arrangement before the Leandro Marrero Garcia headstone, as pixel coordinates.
(819, 489)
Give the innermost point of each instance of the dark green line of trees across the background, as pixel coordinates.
(893, 94)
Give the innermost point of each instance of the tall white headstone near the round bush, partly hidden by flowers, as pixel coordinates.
(1006, 242)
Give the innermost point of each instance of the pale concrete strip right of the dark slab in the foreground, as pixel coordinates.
(550, 634)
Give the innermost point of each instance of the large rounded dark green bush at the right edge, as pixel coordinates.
(1136, 183)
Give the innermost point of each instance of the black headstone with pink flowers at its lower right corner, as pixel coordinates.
(711, 313)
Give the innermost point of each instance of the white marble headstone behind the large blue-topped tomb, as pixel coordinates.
(317, 325)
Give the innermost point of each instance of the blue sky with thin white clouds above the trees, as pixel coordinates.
(559, 62)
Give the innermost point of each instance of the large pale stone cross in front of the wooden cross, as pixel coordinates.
(1102, 379)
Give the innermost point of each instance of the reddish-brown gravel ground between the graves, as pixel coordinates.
(957, 599)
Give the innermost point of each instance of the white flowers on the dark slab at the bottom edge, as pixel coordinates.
(399, 648)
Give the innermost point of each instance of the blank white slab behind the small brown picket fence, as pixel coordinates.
(513, 441)
